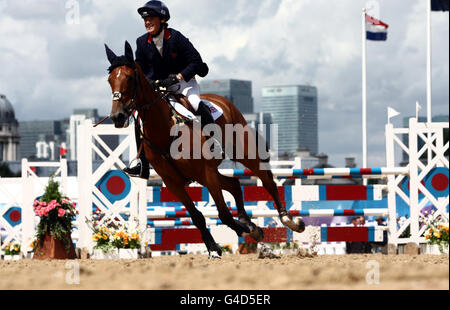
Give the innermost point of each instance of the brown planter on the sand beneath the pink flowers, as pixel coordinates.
(52, 248)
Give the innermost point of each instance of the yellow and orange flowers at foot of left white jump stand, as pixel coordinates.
(110, 233)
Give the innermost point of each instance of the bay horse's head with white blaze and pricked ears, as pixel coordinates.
(123, 79)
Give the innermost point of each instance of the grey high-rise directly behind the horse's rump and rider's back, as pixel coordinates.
(237, 91)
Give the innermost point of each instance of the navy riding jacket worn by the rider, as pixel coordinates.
(178, 56)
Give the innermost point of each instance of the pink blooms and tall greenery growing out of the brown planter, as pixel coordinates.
(56, 215)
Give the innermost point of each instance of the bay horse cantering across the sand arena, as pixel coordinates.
(132, 91)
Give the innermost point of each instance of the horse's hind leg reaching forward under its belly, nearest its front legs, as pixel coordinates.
(233, 186)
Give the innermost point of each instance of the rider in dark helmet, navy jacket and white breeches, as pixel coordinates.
(165, 55)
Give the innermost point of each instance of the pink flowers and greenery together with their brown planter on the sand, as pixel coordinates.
(53, 236)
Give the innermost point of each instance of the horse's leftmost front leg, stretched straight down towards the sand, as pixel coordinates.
(197, 217)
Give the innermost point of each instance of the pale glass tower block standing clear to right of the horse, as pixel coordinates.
(294, 110)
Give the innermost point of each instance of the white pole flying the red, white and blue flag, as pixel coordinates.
(364, 97)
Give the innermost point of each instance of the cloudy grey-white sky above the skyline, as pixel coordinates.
(52, 60)
